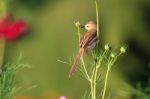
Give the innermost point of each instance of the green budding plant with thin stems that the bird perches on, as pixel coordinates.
(100, 58)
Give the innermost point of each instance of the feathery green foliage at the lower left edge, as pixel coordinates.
(8, 84)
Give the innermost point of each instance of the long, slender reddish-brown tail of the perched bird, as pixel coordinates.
(76, 62)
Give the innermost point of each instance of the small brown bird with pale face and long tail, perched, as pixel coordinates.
(87, 41)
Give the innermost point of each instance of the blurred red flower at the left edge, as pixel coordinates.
(10, 29)
